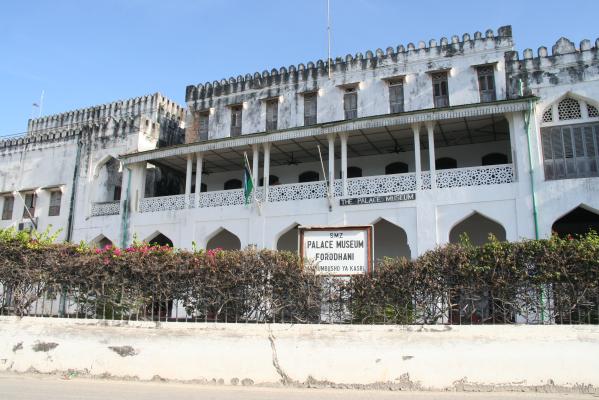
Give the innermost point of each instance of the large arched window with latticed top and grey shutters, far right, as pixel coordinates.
(570, 141)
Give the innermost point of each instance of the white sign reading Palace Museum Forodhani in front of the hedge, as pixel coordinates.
(338, 251)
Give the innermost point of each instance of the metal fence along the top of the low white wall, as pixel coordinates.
(336, 301)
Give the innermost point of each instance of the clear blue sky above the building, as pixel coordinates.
(82, 53)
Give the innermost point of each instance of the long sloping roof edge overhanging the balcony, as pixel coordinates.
(380, 121)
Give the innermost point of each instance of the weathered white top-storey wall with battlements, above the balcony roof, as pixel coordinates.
(367, 72)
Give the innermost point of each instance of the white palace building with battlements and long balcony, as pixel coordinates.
(485, 142)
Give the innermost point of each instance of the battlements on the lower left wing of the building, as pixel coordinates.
(153, 106)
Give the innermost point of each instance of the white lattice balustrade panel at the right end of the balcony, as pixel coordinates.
(477, 176)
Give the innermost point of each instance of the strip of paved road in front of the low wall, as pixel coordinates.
(40, 387)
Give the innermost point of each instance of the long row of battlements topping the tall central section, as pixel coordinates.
(370, 59)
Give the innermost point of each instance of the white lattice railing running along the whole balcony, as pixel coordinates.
(356, 187)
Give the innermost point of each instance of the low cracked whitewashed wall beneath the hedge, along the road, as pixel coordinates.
(436, 357)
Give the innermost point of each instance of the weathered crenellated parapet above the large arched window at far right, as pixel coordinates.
(567, 64)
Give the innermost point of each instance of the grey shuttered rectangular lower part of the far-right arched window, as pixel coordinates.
(570, 151)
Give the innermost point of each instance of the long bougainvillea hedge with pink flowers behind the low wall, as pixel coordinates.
(535, 281)
